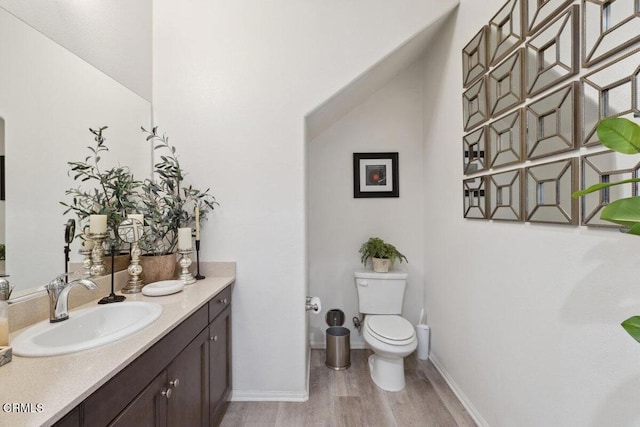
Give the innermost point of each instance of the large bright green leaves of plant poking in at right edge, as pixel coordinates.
(623, 136)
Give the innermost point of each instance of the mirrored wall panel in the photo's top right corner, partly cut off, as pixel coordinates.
(608, 27)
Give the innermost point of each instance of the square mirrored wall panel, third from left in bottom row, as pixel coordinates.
(548, 189)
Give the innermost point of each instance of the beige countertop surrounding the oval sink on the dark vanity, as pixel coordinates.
(55, 385)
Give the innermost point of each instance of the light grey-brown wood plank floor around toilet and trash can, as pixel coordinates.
(350, 398)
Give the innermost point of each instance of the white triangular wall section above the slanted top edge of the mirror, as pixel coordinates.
(112, 35)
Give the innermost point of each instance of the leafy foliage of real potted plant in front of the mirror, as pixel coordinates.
(166, 202)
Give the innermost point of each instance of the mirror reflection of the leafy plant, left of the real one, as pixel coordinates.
(114, 191)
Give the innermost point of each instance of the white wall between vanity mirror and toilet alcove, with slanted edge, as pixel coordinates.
(233, 82)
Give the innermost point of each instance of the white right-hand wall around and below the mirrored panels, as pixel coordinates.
(525, 317)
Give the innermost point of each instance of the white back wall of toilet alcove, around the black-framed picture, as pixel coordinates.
(389, 120)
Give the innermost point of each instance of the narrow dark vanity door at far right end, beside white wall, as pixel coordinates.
(220, 364)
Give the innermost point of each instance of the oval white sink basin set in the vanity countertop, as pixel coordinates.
(87, 328)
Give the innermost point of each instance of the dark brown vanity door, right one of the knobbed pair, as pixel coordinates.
(188, 377)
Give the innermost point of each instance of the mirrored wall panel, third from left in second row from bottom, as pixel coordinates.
(552, 123)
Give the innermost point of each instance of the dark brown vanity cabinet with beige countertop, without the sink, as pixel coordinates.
(175, 372)
